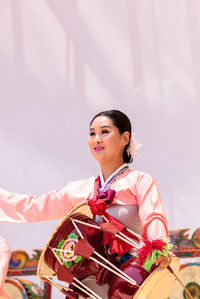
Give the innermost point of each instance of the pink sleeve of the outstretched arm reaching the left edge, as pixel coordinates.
(21, 208)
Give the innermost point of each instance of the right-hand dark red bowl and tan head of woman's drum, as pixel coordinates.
(152, 285)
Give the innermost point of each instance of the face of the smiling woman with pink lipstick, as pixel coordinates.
(105, 141)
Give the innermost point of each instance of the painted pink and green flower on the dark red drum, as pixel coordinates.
(66, 252)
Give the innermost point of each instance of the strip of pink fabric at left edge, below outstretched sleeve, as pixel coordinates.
(5, 254)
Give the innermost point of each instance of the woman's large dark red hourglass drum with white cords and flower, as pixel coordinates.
(76, 252)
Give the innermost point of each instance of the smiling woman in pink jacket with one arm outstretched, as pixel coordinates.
(136, 201)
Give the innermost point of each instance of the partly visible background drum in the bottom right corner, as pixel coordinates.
(190, 276)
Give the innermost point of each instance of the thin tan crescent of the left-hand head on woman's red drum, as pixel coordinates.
(43, 268)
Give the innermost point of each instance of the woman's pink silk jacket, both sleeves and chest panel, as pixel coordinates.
(132, 188)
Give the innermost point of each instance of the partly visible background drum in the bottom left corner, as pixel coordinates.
(18, 288)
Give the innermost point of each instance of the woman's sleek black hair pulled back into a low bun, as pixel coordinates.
(122, 122)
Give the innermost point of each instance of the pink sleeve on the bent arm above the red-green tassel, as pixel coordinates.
(151, 212)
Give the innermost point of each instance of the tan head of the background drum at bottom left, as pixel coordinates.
(14, 289)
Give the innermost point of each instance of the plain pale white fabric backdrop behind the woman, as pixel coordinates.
(62, 61)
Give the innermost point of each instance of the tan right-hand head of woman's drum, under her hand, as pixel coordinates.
(159, 284)
